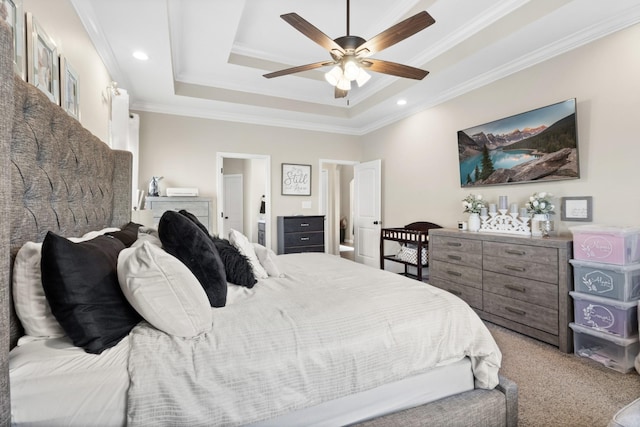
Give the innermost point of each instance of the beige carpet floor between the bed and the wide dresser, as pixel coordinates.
(557, 389)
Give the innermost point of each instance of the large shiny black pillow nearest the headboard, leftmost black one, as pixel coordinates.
(80, 282)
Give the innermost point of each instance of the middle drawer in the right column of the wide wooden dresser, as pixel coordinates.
(532, 291)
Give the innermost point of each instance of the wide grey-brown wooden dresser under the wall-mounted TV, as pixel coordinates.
(519, 282)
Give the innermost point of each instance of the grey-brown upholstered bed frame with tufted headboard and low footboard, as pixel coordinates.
(55, 175)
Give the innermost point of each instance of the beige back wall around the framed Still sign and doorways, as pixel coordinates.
(183, 150)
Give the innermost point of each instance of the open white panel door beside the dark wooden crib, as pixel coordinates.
(367, 219)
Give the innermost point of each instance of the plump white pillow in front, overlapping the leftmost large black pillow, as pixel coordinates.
(163, 290)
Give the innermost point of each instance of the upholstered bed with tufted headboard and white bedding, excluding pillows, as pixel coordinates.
(58, 177)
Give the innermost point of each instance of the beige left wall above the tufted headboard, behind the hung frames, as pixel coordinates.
(61, 23)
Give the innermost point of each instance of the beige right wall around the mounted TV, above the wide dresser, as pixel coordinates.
(420, 159)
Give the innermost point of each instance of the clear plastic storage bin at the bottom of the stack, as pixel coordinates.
(613, 352)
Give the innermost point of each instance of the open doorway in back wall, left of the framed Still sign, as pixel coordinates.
(246, 181)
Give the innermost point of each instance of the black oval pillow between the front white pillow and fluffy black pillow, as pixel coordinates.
(184, 240)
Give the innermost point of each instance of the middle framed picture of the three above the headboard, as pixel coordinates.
(42, 60)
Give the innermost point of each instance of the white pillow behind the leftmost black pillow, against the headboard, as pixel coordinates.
(32, 307)
